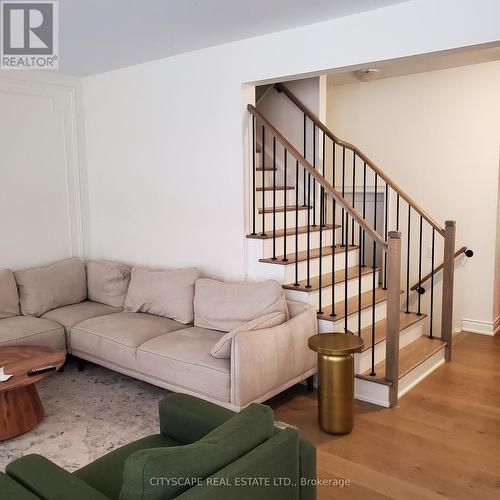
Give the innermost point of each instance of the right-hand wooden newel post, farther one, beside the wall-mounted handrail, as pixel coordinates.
(448, 275)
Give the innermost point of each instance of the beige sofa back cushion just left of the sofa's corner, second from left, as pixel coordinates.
(44, 288)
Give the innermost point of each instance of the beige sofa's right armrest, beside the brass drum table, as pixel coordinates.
(263, 361)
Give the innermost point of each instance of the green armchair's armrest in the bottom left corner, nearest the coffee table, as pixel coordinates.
(49, 481)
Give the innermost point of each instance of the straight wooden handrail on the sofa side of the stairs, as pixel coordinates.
(319, 178)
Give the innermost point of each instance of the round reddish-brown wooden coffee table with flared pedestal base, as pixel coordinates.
(20, 407)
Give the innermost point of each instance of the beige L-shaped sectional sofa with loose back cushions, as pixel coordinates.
(230, 343)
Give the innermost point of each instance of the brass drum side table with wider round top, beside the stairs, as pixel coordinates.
(335, 379)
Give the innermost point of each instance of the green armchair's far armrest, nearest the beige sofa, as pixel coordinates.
(187, 419)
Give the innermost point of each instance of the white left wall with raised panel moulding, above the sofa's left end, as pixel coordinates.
(40, 201)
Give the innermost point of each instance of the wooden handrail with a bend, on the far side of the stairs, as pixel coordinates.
(282, 88)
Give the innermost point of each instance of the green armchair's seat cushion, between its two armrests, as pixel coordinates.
(106, 473)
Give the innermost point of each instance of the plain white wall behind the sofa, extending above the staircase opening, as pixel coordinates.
(164, 139)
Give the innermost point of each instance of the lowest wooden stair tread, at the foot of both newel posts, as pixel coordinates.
(409, 358)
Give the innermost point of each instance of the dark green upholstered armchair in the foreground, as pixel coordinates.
(203, 451)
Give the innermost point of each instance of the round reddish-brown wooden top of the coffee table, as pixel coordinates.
(17, 360)
